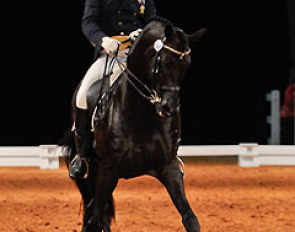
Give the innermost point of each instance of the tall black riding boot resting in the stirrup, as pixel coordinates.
(83, 138)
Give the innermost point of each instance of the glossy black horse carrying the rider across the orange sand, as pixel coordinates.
(139, 132)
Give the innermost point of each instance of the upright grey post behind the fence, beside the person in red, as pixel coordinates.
(274, 118)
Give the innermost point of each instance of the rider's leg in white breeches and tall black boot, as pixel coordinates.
(82, 122)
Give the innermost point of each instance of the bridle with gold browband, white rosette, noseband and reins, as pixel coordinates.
(152, 95)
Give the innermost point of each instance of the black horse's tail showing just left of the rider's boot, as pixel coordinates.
(67, 143)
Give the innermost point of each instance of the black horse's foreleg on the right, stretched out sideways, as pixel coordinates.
(172, 178)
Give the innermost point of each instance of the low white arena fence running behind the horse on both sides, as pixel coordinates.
(249, 154)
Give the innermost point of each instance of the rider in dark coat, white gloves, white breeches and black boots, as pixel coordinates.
(103, 20)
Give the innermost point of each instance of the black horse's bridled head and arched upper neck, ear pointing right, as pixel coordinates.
(160, 58)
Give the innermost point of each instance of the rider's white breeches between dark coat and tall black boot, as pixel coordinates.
(95, 72)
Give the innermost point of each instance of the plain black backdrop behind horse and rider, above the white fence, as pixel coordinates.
(243, 56)
